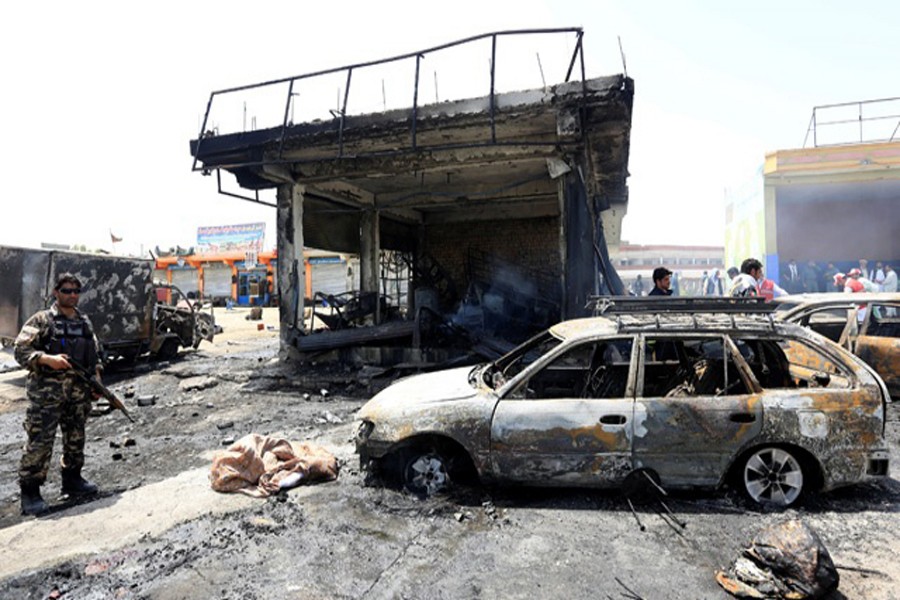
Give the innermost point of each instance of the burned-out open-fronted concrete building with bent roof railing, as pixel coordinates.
(491, 213)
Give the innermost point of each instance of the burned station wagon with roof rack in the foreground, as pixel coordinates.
(698, 394)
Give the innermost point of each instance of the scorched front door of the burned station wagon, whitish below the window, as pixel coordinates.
(551, 433)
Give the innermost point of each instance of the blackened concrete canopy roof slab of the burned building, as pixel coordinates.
(447, 164)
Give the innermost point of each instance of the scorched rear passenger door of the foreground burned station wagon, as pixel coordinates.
(695, 408)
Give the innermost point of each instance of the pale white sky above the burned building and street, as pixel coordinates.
(100, 99)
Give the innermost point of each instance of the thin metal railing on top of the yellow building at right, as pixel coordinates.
(854, 123)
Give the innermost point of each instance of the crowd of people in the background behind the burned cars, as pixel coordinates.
(750, 279)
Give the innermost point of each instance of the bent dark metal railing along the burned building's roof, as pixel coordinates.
(340, 114)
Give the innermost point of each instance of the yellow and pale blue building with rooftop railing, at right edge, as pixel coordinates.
(836, 200)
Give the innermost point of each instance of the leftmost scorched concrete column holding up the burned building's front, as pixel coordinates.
(291, 271)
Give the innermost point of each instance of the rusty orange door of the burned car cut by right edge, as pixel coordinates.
(878, 343)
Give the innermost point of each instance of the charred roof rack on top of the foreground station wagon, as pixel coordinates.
(622, 305)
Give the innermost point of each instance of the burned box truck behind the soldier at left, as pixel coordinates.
(132, 314)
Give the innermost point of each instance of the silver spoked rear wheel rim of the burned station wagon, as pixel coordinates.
(773, 476)
